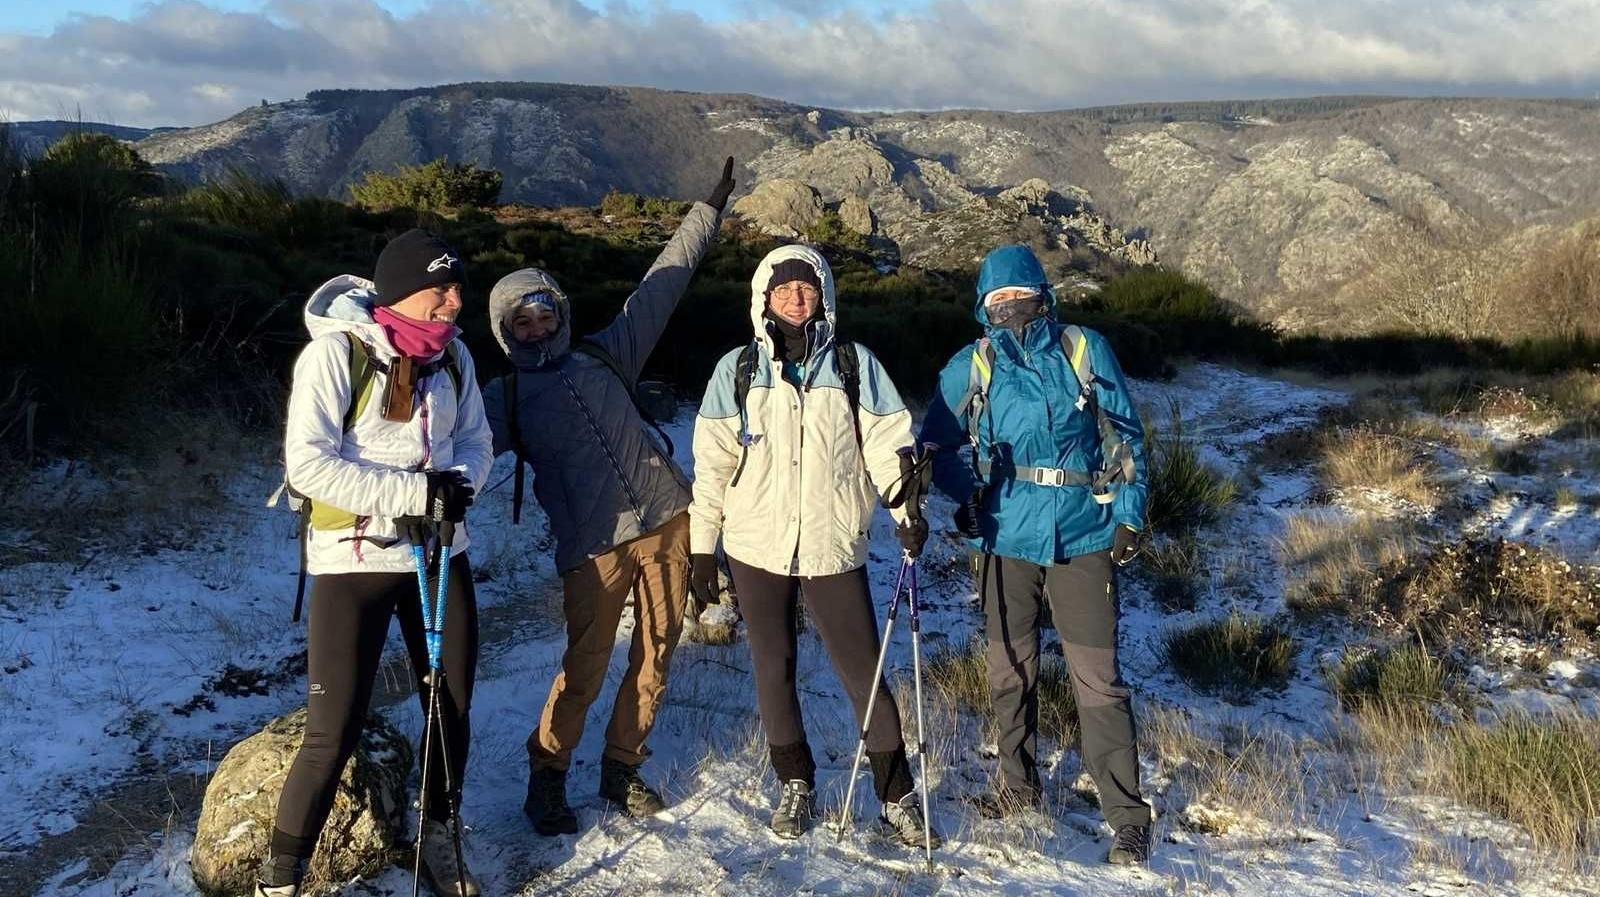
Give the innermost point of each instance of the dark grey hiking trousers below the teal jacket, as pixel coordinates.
(1084, 605)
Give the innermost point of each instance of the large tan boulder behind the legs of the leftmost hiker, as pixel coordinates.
(364, 829)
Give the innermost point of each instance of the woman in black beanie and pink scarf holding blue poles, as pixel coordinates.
(385, 428)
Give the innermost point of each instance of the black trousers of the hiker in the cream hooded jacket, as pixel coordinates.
(841, 608)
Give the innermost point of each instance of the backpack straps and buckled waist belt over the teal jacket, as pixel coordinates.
(1116, 455)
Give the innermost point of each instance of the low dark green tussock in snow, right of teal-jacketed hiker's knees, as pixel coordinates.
(1234, 658)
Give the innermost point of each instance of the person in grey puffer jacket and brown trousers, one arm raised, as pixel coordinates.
(617, 504)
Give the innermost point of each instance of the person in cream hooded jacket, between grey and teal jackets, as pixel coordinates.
(798, 441)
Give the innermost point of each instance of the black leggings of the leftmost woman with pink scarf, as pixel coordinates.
(350, 624)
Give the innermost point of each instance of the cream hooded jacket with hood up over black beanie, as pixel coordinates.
(806, 492)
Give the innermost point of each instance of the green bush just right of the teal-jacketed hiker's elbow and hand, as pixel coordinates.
(1185, 493)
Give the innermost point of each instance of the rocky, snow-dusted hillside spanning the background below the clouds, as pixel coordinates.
(1263, 199)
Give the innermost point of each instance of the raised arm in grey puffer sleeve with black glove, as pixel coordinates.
(634, 333)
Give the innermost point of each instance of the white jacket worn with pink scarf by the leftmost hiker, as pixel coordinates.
(375, 471)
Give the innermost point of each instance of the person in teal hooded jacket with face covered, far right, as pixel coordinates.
(1054, 498)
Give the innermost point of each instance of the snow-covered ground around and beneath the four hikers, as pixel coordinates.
(118, 672)
